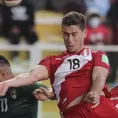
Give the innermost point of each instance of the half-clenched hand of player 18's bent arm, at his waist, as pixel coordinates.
(93, 98)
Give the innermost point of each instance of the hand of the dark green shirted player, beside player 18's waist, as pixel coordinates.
(43, 93)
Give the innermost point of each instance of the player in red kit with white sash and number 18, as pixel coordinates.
(77, 76)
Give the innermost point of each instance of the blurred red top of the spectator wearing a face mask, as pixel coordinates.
(99, 35)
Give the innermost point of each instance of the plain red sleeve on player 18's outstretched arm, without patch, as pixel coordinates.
(47, 62)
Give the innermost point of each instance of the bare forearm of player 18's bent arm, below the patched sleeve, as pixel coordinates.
(98, 84)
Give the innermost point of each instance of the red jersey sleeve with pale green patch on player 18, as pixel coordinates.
(101, 59)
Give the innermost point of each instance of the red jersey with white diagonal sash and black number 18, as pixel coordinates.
(71, 73)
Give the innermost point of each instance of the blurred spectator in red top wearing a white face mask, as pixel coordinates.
(98, 33)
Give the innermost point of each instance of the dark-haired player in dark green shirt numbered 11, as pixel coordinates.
(18, 102)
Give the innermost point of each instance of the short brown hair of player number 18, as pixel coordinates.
(74, 18)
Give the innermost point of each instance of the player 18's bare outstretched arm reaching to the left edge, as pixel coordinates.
(38, 73)
